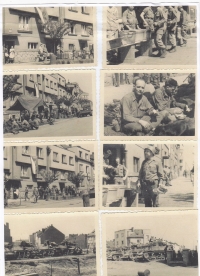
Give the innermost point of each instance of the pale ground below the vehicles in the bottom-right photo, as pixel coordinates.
(128, 268)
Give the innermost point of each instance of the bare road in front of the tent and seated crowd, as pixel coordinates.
(62, 127)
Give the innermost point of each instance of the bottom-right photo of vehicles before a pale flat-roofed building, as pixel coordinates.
(143, 244)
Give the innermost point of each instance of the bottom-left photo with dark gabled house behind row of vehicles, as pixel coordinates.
(50, 244)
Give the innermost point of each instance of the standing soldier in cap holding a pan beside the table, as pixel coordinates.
(150, 177)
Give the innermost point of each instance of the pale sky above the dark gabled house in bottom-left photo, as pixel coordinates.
(22, 226)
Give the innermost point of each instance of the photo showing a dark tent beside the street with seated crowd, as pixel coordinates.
(48, 104)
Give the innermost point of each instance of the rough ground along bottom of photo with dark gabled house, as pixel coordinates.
(64, 266)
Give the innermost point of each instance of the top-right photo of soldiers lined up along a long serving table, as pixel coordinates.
(150, 35)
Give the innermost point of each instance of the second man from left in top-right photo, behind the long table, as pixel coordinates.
(129, 19)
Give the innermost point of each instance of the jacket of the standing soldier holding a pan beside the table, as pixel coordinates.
(151, 170)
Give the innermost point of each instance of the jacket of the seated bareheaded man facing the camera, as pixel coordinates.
(133, 111)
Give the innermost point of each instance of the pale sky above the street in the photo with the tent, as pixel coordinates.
(83, 79)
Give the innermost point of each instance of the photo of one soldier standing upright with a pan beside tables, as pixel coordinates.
(137, 174)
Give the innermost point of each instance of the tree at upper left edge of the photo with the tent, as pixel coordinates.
(10, 86)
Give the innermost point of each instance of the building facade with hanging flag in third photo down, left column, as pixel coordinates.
(23, 167)
